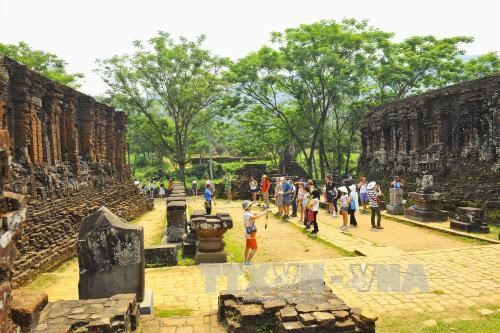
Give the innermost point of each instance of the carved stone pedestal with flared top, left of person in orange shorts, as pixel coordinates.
(210, 230)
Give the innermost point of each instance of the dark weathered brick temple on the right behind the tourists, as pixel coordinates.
(453, 133)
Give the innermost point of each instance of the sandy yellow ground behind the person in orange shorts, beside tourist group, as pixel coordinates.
(281, 241)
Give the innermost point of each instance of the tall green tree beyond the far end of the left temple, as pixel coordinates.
(180, 78)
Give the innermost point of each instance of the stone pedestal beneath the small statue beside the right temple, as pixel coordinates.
(426, 208)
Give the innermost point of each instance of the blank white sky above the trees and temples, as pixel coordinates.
(82, 31)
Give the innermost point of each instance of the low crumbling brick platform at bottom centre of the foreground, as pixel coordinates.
(291, 311)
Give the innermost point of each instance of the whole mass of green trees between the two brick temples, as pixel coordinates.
(310, 85)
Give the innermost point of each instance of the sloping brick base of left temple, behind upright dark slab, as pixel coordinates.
(50, 232)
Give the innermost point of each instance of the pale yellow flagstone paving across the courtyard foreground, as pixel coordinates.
(450, 278)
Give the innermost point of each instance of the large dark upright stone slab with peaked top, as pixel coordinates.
(110, 256)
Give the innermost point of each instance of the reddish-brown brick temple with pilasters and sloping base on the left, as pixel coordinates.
(67, 159)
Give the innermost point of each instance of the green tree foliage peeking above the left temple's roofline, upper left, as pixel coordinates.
(45, 63)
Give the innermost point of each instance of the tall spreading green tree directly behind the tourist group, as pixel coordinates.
(314, 70)
